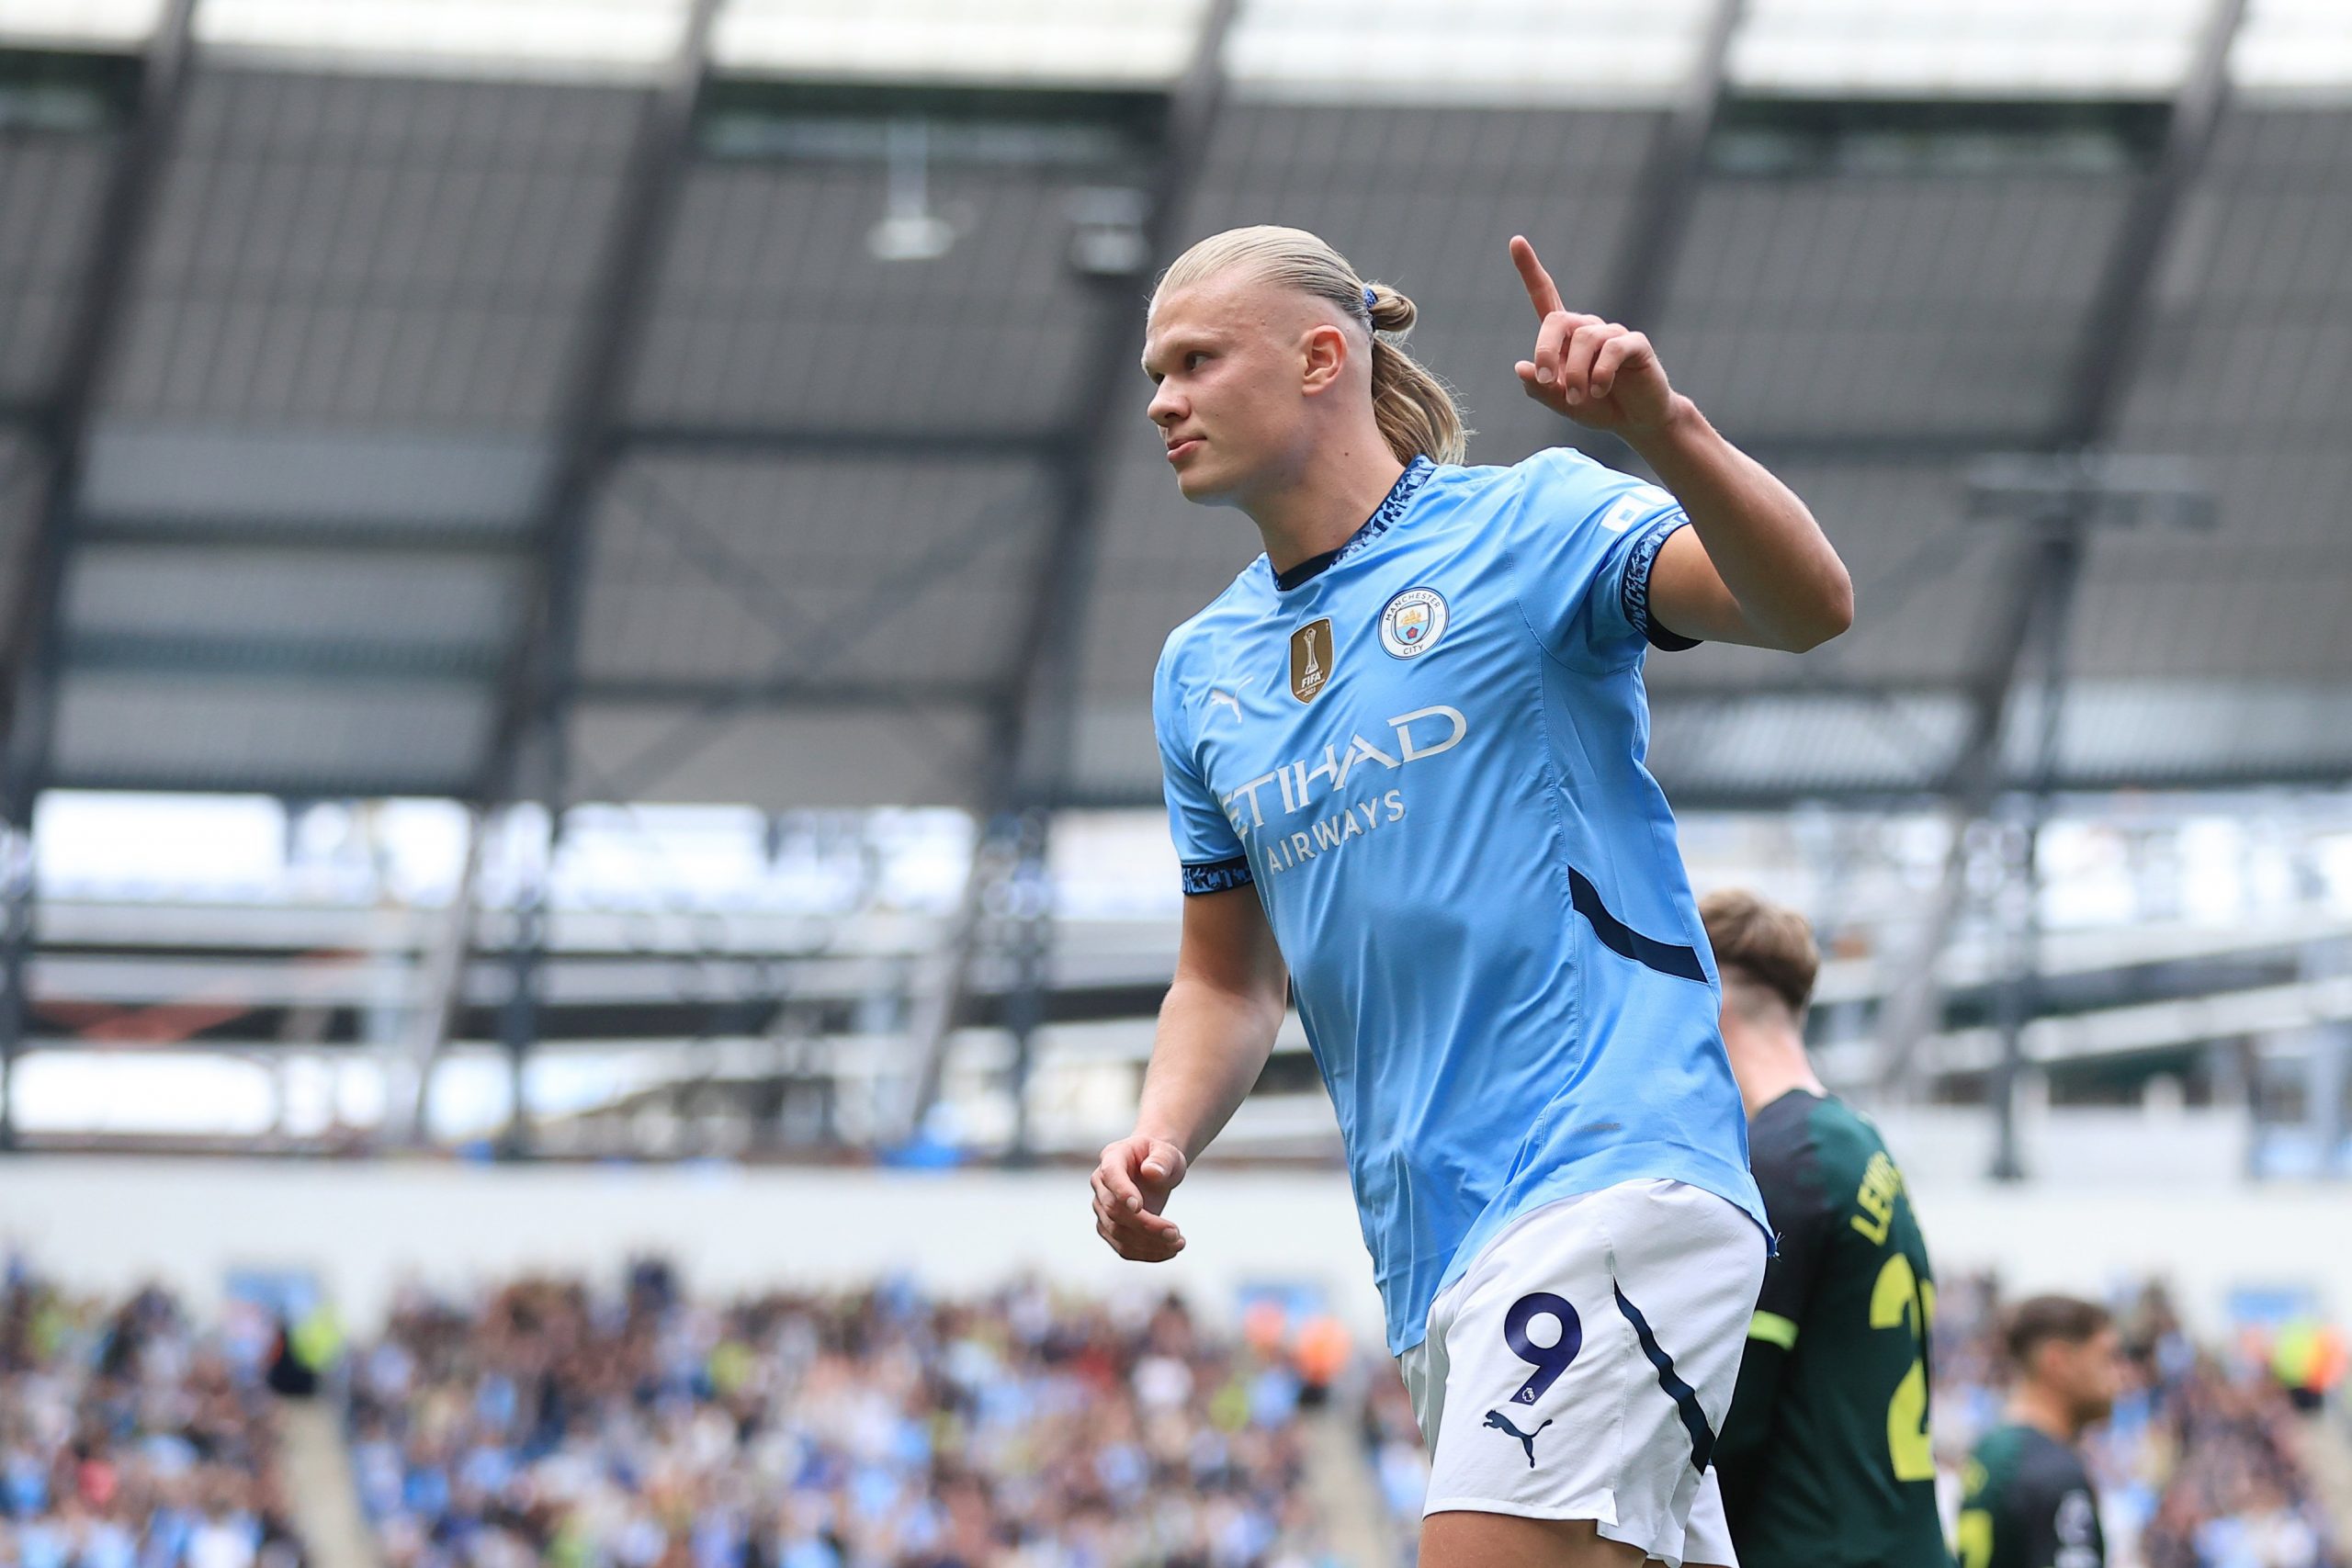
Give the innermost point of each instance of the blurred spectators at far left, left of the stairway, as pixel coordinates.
(133, 1442)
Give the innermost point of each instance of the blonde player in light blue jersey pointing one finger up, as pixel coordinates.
(1403, 763)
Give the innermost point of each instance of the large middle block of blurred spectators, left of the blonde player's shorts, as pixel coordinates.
(552, 1423)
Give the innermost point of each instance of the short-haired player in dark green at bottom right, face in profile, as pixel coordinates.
(2026, 1496)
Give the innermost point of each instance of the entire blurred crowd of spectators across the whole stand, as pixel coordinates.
(552, 1423)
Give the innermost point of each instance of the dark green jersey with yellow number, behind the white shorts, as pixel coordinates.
(1826, 1456)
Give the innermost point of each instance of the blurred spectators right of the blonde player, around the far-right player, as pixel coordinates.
(2203, 1459)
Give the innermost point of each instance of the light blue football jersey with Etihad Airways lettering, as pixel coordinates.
(1426, 751)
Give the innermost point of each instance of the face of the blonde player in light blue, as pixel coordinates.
(1227, 387)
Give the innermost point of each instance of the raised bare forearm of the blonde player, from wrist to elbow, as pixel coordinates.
(1760, 537)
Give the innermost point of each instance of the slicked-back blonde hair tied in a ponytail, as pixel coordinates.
(1415, 408)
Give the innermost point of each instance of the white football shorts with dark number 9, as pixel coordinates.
(1584, 1367)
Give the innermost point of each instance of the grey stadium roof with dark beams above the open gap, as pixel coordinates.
(735, 398)
